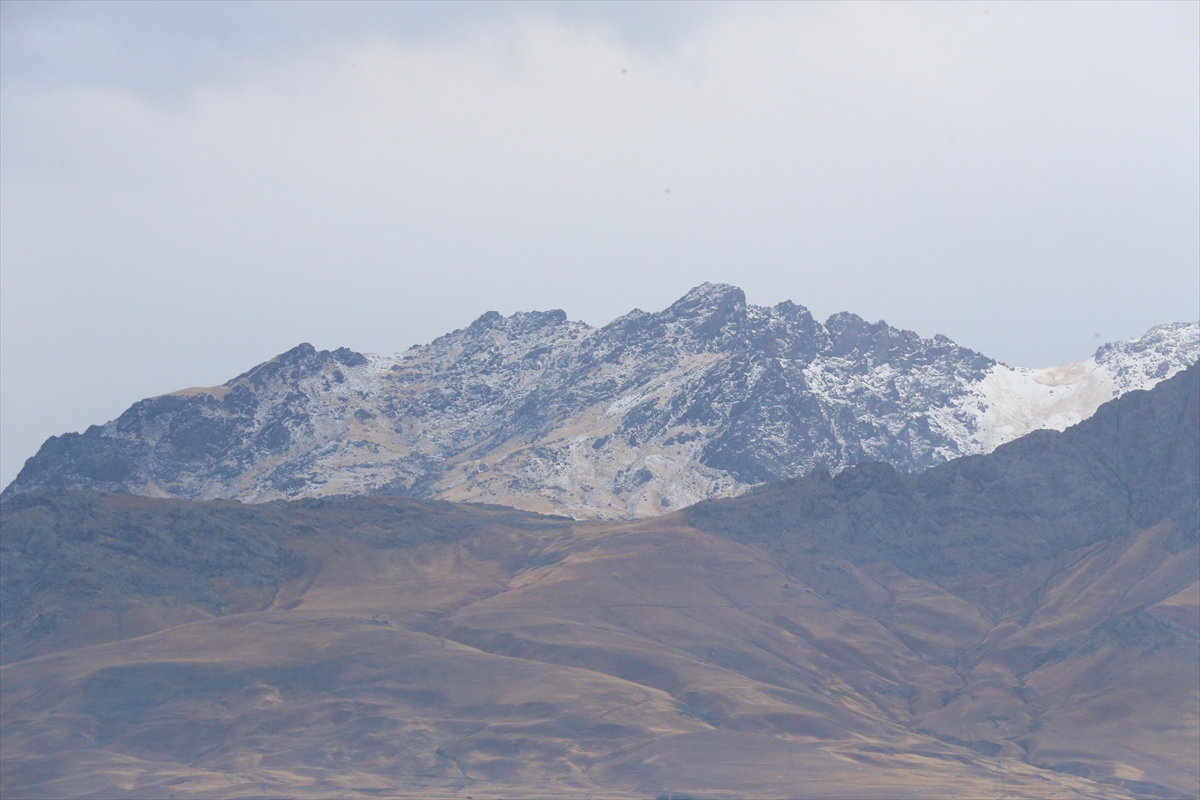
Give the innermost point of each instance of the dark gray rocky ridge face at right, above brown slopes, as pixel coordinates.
(1133, 465)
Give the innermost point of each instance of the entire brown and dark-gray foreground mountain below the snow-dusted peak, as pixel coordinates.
(1019, 624)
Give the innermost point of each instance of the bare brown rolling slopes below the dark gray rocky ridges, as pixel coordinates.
(617, 660)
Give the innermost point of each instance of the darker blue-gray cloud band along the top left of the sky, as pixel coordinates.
(166, 51)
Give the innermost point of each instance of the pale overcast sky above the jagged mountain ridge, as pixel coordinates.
(190, 189)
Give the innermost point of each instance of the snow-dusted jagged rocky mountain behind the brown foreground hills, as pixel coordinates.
(649, 414)
